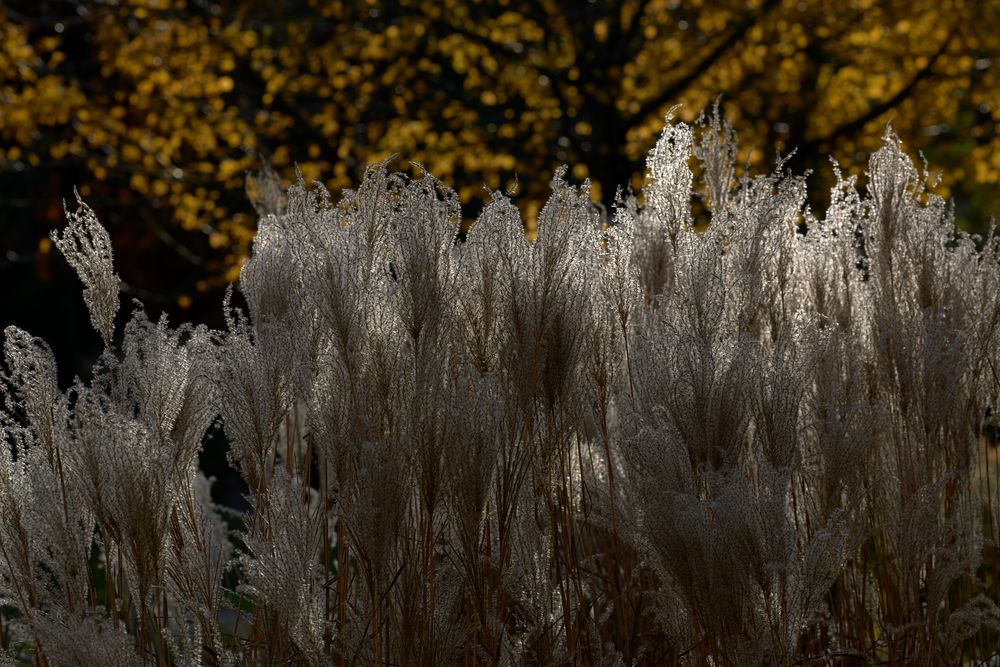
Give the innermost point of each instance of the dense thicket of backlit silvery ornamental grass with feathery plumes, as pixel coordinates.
(768, 440)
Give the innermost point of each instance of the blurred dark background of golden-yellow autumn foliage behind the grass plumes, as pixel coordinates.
(157, 109)
